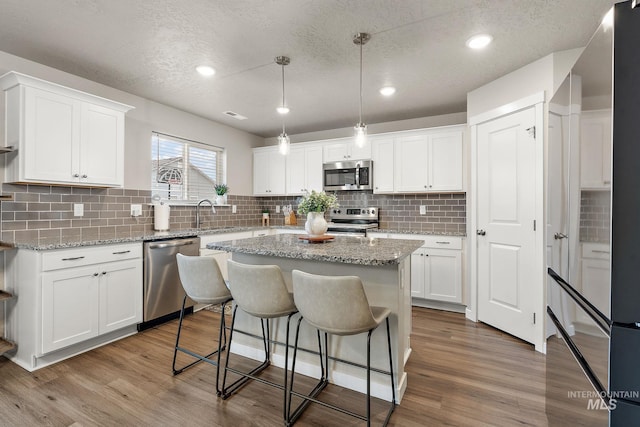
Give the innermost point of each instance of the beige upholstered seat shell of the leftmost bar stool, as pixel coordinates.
(201, 278)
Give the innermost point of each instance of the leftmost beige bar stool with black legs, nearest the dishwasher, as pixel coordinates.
(203, 283)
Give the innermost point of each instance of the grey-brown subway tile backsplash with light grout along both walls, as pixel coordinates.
(46, 213)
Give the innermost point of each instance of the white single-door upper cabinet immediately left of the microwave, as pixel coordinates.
(304, 169)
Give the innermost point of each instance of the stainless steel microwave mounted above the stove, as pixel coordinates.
(350, 175)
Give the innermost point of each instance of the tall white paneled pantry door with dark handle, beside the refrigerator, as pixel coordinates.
(506, 213)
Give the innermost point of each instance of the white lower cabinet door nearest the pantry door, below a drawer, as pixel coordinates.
(443, 275)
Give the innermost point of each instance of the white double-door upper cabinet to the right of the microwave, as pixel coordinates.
(431, 160)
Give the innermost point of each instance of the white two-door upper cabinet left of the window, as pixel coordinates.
(62, 136)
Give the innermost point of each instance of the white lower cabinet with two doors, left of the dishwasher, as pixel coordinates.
(72, 300)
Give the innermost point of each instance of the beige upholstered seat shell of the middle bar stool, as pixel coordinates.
(260, 290)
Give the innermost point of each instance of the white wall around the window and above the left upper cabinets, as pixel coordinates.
(150, 116)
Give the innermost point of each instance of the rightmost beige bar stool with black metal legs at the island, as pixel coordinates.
(338, 305)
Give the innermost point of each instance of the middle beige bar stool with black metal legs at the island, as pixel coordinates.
(259, 291)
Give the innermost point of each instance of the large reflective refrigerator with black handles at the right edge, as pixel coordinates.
(593, 252)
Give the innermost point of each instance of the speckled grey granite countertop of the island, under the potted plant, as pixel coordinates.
(349, 250)
